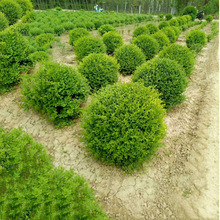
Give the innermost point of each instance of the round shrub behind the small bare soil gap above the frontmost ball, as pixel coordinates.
(129, 58)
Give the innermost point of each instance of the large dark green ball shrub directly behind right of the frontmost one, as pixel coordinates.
(167, 76)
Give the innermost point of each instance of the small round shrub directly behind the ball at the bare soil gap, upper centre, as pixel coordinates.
(112, 41)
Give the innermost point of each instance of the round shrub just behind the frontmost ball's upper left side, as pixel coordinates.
(100, 70)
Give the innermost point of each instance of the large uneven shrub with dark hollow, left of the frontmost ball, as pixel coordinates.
(57, 91)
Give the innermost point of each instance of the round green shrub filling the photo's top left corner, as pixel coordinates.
(11, 9)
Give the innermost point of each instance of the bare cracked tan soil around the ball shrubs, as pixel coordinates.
(180, 183)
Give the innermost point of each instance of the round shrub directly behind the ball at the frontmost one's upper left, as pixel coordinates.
(87, 45)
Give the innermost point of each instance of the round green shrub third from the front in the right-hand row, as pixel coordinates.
(181, 54)
